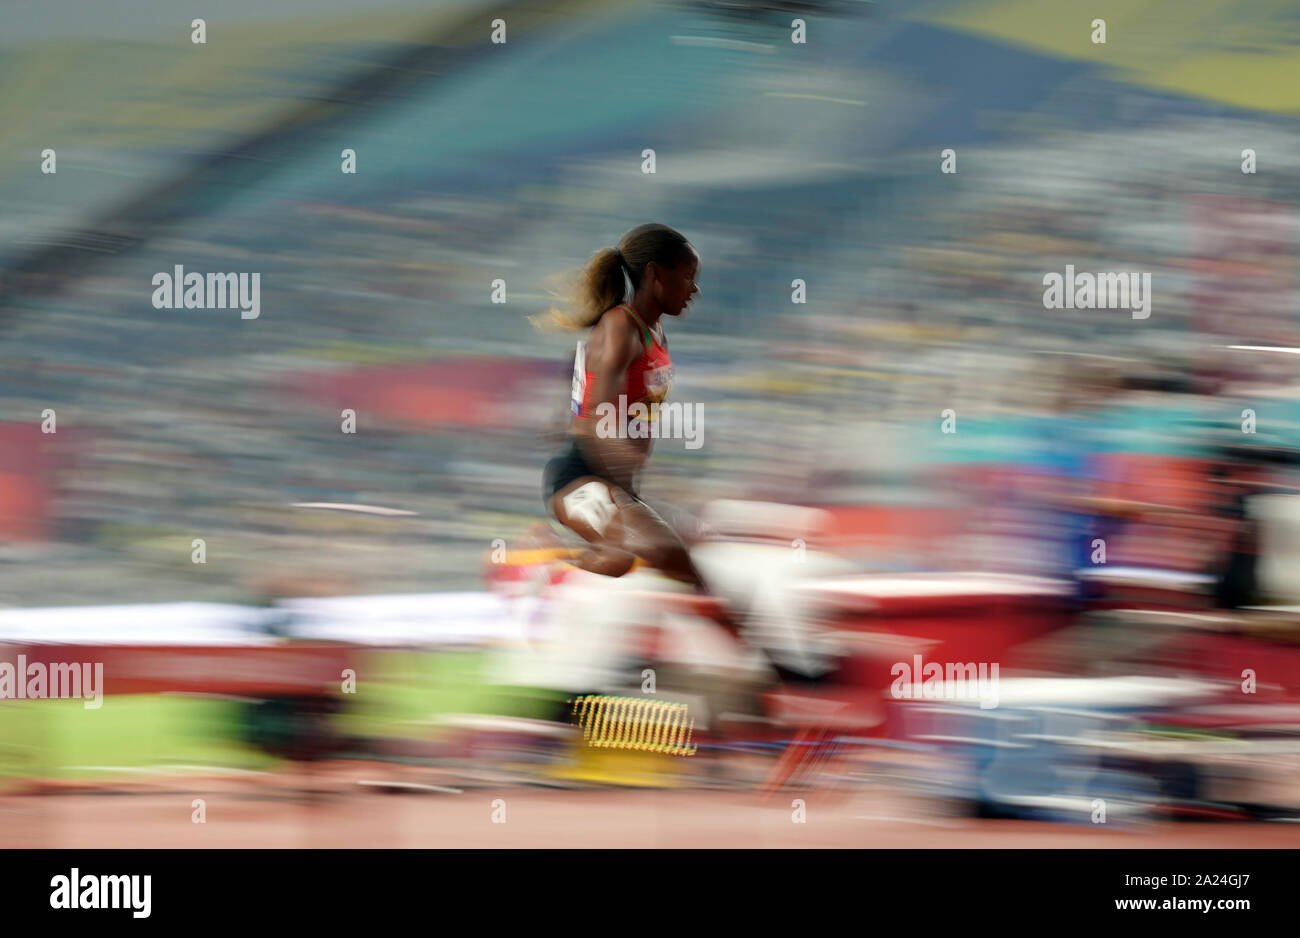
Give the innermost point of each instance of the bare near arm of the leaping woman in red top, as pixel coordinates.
(612, 349)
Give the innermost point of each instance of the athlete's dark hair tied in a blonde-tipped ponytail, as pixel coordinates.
(591, 292)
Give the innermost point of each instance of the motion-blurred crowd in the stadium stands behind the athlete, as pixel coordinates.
(924, 294)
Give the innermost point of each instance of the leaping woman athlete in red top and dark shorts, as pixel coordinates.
(591, 487)
